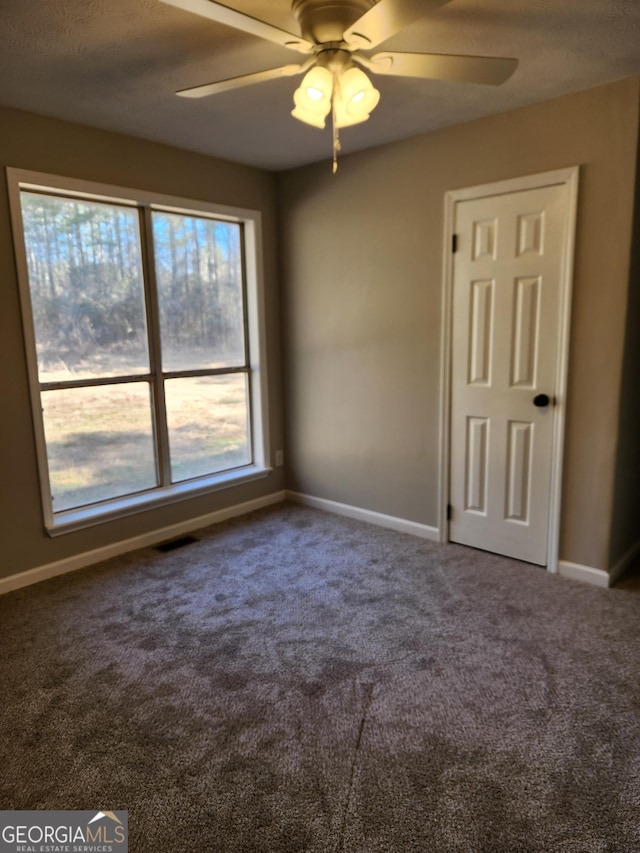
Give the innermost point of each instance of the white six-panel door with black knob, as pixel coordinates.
(506, 321)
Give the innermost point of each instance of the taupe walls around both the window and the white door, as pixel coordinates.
(362, 253)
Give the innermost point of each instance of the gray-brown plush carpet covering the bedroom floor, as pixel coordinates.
(296, 681)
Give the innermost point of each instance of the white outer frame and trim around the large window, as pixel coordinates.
(65, 521)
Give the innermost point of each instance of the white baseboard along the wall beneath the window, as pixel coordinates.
(88, 558)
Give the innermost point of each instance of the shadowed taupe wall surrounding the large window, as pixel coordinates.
(47, 145)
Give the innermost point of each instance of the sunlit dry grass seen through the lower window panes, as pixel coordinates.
(100, 438)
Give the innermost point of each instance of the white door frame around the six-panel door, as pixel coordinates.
(568, 177)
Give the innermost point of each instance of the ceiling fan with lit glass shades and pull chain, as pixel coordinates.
(337, 35)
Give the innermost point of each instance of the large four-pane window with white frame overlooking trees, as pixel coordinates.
(142, 322)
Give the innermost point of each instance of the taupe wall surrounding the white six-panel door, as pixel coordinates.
(362, 265)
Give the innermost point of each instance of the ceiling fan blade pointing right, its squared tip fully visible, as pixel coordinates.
(492, 70)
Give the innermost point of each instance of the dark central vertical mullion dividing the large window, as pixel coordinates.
(155, 348)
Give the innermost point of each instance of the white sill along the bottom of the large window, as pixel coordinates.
(71, 520)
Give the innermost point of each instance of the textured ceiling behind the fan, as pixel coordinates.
(116, 64)
